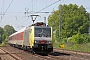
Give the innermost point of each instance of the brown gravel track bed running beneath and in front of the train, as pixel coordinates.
(56, 55)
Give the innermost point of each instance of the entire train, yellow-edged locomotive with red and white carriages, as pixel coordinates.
(35, 38)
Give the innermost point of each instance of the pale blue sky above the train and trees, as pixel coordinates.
(14, 10)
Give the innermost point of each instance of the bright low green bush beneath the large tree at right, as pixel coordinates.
(79, 39)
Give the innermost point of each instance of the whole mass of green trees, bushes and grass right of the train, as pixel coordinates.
(75, 25)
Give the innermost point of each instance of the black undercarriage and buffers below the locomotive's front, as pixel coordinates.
(43, 48)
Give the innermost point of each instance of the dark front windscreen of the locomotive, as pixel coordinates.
(45, 32)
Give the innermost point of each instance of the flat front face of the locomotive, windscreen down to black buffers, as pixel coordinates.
(42, 39)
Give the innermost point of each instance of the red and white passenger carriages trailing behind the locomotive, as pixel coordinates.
(17, 38)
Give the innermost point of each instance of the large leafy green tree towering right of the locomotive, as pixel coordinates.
(75, 20)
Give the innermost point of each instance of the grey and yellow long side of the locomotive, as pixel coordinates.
(29, 37)
